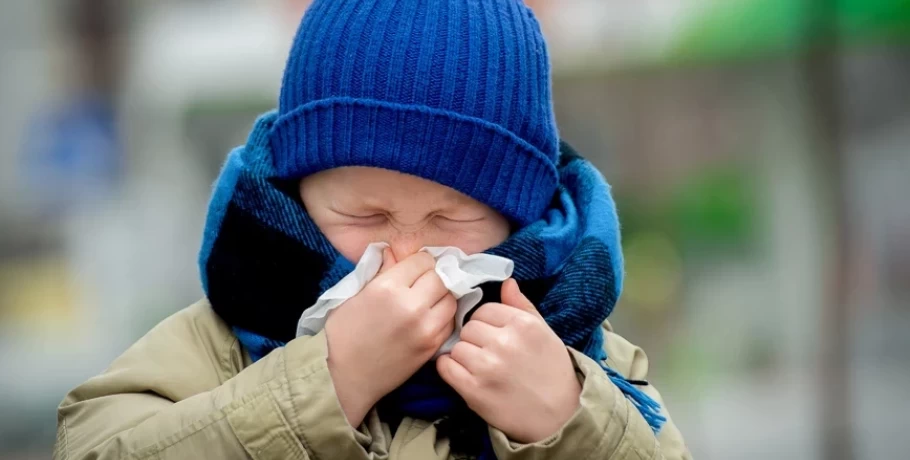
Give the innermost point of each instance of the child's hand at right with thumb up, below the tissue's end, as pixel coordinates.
(513, 370)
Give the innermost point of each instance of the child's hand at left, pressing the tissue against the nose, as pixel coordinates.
(383, 335)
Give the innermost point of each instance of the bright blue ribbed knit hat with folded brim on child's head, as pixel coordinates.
(454, 91)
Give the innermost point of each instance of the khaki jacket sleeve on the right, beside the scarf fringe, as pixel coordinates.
(606, 425)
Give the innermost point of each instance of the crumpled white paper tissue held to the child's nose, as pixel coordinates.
(460, 273)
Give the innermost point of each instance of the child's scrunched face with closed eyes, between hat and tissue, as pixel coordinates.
(356, 206)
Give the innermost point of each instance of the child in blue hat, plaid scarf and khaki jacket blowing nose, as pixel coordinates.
(417, 123)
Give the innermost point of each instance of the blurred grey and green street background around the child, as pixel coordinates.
(759, 151)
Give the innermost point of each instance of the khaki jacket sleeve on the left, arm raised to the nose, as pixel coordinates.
(163, 399)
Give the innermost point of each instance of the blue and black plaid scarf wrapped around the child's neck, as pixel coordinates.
(263, 261)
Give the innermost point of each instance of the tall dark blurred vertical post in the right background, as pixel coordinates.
(822, 74)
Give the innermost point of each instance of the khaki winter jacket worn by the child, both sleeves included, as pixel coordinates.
(187, 390)
